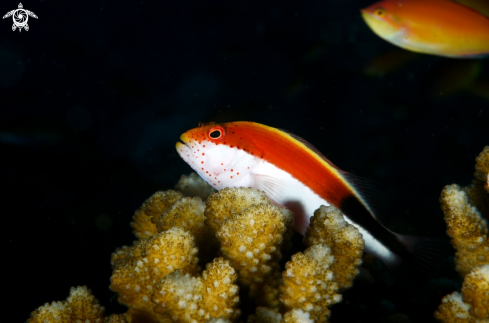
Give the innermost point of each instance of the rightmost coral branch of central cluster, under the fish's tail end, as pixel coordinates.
(328, 226)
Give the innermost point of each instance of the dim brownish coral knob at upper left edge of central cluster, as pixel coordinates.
(143, 222)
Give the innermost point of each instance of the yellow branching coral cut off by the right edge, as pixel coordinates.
(469, 233)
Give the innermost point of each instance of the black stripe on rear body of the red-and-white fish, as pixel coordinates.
(359, 214)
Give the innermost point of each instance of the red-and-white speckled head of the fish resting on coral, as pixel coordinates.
(214, 152)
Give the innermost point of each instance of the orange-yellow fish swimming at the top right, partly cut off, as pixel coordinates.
(437, 27)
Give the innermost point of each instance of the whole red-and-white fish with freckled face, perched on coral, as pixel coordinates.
(294, 174)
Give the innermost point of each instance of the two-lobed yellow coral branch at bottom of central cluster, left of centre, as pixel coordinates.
(191, 299)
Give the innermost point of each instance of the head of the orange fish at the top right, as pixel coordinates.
(383, 18)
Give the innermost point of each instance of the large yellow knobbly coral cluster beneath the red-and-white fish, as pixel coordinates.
(242, 235)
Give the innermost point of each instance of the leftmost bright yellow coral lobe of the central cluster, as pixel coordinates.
(138, 268)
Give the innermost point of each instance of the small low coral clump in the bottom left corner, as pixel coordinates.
(80, 306)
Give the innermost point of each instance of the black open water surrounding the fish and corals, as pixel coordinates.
(94, 96)
